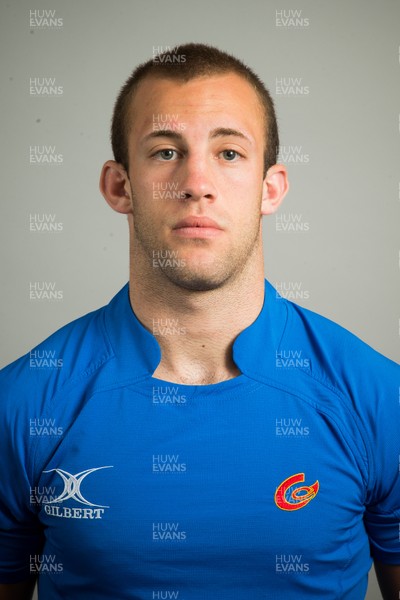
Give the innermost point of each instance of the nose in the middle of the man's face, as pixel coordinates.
(197, 179)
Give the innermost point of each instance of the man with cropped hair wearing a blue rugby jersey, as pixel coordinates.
(192, 455)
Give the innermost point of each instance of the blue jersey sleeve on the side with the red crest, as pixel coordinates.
(369, 387)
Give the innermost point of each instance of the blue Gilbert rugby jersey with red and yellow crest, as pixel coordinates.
(279, 483)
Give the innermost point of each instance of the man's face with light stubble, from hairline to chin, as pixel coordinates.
(196, 154)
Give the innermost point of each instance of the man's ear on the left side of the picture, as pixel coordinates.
(115, 187)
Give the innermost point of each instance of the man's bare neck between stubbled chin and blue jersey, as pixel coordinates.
(196, 330)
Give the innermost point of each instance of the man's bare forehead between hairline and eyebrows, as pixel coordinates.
(226, 99)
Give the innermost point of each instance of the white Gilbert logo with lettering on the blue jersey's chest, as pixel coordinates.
(72, 490)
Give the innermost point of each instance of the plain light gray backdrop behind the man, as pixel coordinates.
(344, 173)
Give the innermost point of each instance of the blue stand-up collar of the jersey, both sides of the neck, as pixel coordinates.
(138, 352)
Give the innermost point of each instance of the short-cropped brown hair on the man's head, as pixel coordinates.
(183, 63)
